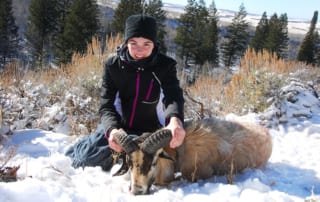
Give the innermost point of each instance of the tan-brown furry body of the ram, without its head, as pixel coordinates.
(213, 147)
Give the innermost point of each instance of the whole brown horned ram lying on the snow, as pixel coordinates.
(211, 147)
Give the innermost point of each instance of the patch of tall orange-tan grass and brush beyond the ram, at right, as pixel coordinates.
(260, 75)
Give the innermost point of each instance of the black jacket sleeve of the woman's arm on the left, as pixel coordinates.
(110, 118)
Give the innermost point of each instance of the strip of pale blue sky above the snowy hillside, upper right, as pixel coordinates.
(294, 8)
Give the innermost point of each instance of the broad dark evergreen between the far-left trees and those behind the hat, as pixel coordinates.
(80, 26)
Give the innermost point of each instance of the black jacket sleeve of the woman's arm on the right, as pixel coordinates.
(173, 95)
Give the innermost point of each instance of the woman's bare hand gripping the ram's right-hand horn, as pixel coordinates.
(177, 130)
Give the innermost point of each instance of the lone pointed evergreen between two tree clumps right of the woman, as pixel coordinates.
(236, 39)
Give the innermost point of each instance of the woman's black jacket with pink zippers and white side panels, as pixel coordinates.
(138, 86)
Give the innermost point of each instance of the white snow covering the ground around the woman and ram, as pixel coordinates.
(291, 174)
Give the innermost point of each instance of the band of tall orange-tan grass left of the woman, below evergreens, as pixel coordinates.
(81, 66)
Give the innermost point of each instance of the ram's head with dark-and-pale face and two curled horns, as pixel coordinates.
(142, 154)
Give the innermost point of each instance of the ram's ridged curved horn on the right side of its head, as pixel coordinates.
(160, 138)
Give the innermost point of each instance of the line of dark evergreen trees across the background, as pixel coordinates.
(58, 28)
